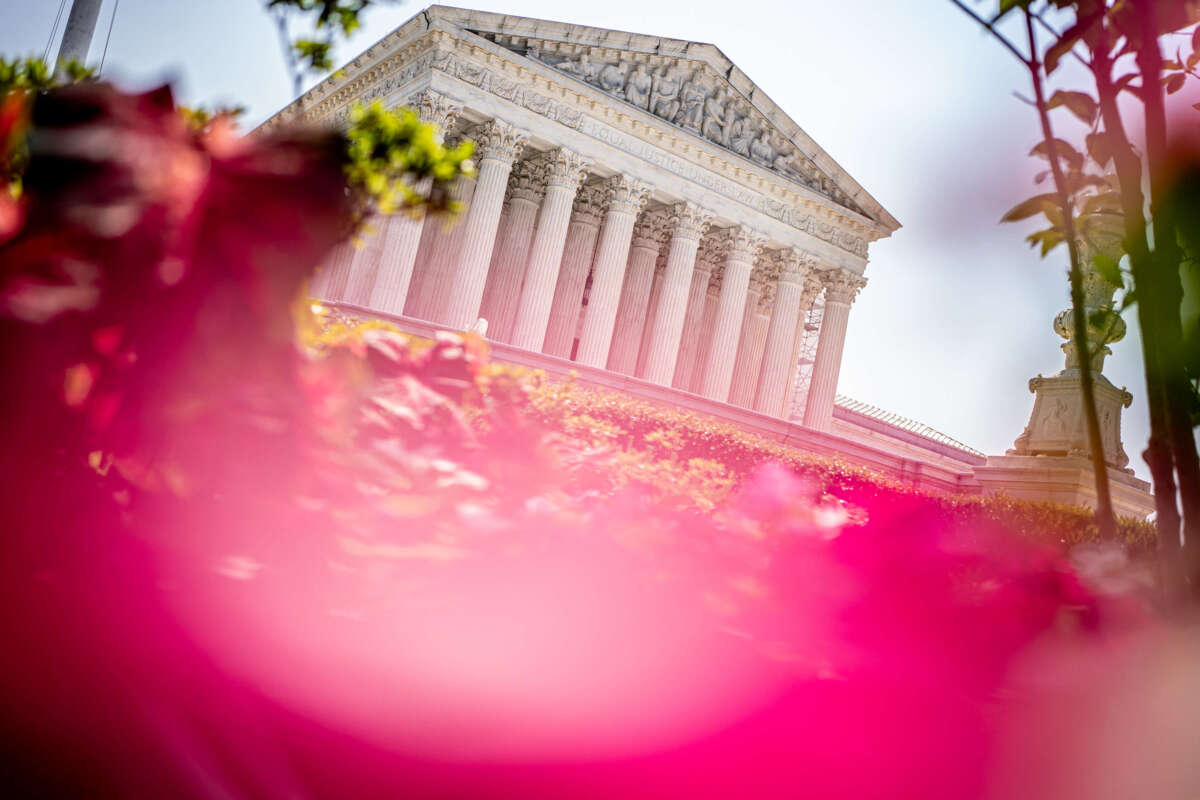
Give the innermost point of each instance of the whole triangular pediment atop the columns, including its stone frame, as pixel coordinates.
(688, 85)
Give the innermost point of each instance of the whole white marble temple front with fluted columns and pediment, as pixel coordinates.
(640, 207)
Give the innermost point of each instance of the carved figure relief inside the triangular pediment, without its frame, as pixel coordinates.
(687, 94)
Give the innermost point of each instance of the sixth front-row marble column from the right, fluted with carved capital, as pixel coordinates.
(565, 172)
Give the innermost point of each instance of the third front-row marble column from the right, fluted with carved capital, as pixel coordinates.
(743, 248)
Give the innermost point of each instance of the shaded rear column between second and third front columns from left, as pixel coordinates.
(527, 183)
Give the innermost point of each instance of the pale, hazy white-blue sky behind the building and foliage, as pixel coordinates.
(909, 98)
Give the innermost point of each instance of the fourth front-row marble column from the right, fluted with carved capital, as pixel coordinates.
(688, 225)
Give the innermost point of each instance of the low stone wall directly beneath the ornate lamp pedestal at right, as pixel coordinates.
(1063, 479)
